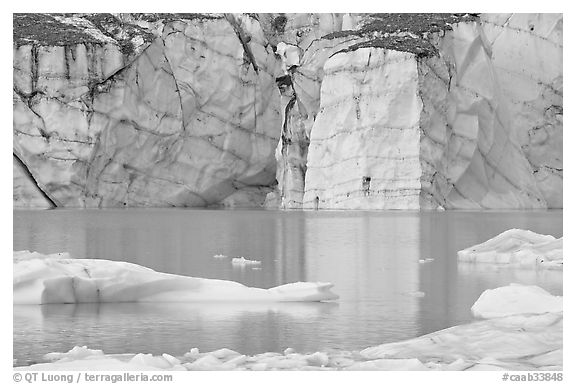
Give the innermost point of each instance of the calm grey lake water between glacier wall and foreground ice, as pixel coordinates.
(371, 257)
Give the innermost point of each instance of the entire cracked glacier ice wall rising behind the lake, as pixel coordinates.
(317, 110)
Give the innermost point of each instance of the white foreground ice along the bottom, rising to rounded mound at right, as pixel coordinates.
(520, 340)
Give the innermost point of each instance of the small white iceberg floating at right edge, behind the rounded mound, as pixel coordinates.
(518, 247)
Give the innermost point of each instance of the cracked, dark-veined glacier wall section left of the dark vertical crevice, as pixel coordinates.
(190, 122)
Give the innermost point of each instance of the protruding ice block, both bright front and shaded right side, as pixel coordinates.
(398, 130)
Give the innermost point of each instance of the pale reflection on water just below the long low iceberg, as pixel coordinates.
(126, 327)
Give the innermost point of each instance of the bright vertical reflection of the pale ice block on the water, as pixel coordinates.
(374, 263)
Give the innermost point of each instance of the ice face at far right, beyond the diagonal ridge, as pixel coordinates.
(527, 52)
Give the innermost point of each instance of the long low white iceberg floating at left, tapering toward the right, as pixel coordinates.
(43, 279)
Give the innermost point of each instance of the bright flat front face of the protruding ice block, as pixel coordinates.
(366, 128)
